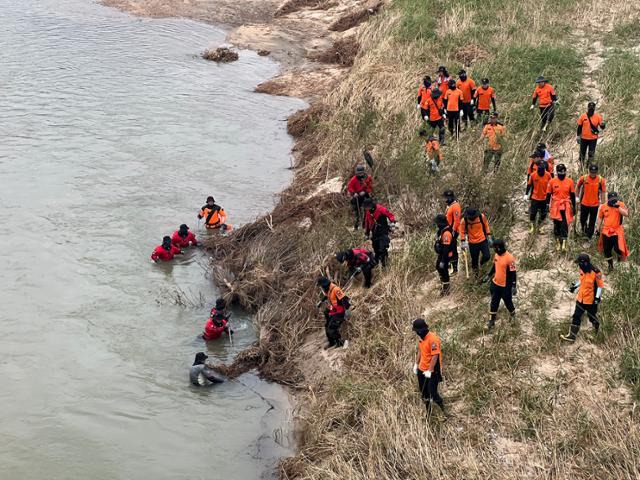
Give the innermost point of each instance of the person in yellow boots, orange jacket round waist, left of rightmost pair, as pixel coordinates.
(561, 196)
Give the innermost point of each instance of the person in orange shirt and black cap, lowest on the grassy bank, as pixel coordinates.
(428, 366)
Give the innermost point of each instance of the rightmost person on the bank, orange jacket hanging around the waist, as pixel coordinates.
(611, 229)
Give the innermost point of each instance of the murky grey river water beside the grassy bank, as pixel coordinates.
(112, 133)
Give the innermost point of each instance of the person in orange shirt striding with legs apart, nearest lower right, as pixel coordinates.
(589, 289)
